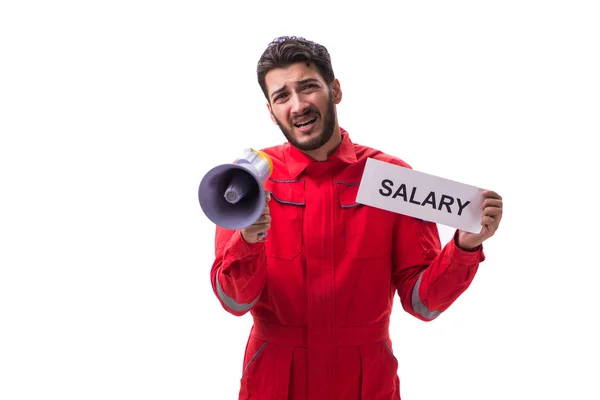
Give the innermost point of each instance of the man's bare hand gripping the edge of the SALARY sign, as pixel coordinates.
(490, 220)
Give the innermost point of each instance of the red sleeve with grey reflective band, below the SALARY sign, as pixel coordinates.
(430, 278)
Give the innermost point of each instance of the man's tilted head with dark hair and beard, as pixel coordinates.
(298, 82)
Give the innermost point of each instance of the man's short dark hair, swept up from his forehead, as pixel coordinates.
(286, 50)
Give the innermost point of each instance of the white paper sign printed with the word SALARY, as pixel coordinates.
(416, 194)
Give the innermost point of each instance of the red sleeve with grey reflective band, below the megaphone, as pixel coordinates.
(239, 272)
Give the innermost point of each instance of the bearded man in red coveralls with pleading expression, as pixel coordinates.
(321, 287)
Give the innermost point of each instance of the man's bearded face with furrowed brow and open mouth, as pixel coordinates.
(301, 103)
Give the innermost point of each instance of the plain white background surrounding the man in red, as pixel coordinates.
(106, 113)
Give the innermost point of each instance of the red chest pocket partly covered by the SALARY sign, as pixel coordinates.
(367, 230)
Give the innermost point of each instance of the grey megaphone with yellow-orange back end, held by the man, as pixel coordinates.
(232, 195)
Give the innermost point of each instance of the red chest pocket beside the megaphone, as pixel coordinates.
(287, 217)
